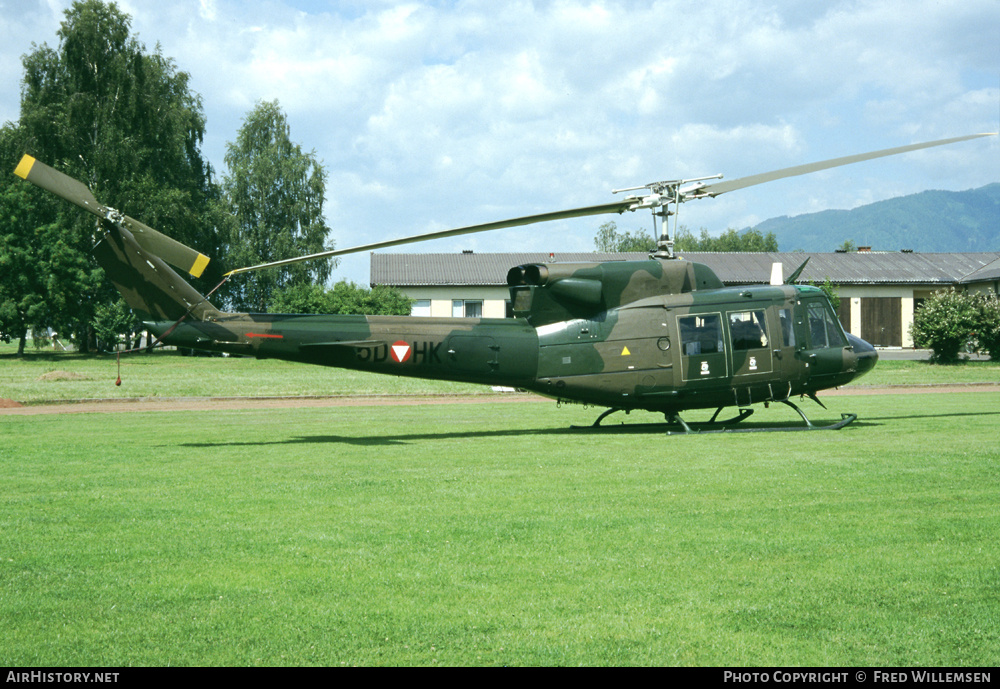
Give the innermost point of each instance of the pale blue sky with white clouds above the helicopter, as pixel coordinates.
(434, 115)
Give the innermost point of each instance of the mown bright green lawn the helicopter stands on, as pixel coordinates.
(490, 534)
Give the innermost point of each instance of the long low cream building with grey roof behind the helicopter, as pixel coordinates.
(878, 290)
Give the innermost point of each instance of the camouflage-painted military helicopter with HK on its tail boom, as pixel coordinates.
(663, 335)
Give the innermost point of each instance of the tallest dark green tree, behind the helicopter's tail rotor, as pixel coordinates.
(124, 121)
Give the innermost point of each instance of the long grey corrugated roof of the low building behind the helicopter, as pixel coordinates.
(867, 268)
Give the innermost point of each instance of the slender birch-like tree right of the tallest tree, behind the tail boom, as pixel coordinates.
(276, 194)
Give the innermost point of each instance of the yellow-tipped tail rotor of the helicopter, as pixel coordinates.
(76, 192)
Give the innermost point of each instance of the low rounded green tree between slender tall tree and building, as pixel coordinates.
(343, 298)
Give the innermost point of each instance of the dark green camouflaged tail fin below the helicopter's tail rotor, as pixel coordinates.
(147, 283)
